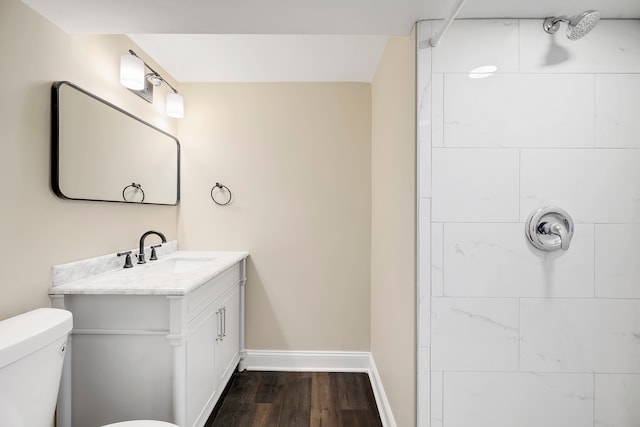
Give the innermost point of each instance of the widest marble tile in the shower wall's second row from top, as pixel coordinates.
(518, 110)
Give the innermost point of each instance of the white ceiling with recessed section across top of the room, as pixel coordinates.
(283, 40)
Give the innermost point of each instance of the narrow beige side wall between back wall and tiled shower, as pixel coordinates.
(393, 230)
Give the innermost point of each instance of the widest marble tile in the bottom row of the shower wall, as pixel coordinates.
(499, 399)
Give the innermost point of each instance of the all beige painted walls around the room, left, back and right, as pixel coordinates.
(331, 267)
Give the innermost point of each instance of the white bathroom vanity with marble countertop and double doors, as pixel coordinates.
(157, 341)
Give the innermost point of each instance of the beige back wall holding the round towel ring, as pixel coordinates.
(297, 158)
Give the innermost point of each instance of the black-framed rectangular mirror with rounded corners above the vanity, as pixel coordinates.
(101, 152)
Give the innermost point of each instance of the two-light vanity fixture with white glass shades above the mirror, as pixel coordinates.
(134, 78)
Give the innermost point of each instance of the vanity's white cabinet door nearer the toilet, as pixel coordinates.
(201, 375)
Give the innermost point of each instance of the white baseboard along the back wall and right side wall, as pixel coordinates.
(324, 361)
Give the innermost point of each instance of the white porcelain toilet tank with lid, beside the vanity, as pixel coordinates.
(32, 347)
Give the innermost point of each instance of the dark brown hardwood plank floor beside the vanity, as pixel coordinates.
(296, 399)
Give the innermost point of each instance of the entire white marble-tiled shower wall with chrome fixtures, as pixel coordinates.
(515, 331)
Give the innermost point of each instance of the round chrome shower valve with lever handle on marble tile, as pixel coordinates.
(549, 229)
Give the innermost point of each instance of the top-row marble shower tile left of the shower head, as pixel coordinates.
(474, 43)
